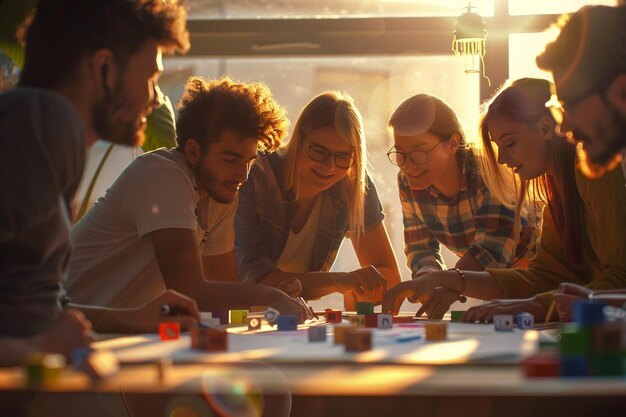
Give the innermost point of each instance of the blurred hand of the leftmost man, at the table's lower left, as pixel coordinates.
(70, 332)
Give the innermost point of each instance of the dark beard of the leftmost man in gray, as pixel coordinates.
(110, 123)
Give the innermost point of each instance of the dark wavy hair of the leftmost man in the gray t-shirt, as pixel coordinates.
(62, 32)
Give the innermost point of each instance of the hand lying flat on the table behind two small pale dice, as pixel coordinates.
(485, 312)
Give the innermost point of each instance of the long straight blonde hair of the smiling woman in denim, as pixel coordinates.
(337, 110)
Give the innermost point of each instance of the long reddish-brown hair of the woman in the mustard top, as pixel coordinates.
(524, 102)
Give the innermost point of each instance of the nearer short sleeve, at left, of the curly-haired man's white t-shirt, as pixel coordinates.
(162, 198)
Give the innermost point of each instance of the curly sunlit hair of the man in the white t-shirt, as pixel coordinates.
(207, 108)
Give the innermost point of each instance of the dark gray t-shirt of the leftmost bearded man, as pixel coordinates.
(42, 156)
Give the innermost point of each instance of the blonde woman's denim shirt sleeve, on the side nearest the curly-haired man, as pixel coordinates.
(252, 258)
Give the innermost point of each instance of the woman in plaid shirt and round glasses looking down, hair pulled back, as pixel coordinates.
(444, 198)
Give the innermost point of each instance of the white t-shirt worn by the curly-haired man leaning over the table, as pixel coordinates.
(113, 263)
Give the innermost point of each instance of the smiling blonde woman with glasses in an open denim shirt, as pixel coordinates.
(300, 203)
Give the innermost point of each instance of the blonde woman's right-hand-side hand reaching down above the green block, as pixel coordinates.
(366, 283)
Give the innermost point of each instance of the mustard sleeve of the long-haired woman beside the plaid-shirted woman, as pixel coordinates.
(545, 271)
